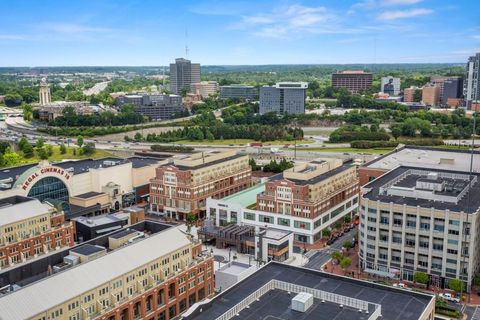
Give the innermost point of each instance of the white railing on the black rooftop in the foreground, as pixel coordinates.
(323, 296)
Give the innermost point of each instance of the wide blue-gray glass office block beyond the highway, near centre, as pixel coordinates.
(284, 97)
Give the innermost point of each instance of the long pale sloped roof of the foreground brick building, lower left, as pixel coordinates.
(57, 289)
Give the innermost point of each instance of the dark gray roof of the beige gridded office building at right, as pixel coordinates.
(462, 205)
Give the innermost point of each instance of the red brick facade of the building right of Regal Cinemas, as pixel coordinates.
(185, 197)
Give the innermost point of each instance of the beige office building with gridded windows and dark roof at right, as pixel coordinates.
(421, 219)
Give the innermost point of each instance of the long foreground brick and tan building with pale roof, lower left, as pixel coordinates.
(157, 277)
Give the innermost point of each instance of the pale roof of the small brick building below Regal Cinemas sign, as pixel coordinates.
(22, 211)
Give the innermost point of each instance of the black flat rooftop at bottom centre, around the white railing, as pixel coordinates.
(395, 303)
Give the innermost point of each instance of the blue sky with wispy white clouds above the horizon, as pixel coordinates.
(154, 32)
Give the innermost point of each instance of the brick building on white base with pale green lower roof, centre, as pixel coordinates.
(305, 200)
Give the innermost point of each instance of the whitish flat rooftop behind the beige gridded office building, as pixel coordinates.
(427, 157)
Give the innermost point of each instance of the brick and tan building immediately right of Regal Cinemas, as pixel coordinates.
(185, 185)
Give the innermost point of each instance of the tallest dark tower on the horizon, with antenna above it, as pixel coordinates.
(183, 73)
